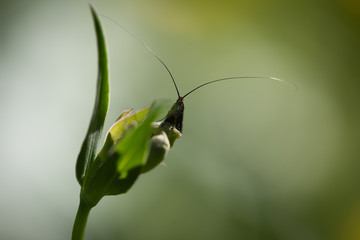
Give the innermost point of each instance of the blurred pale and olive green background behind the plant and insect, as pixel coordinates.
(257, 160)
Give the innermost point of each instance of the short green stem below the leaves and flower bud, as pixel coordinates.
(80, 221)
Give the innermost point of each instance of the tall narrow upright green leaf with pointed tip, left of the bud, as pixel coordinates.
(88, 148)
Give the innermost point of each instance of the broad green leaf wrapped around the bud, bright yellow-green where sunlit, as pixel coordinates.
(120, 161)
